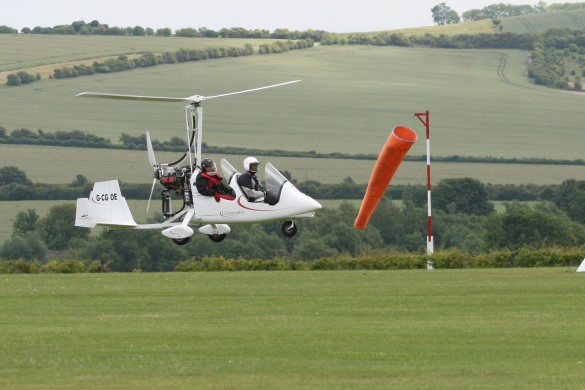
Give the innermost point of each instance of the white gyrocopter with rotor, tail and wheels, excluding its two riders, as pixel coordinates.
(107, 207)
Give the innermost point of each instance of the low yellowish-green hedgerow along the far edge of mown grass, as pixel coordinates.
(442, 259)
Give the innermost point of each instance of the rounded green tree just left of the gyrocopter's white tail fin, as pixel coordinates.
(57, 228)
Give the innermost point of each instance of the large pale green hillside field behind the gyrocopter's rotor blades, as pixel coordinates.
(481, 104)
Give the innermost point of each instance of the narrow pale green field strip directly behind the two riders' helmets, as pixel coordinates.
(61, 165)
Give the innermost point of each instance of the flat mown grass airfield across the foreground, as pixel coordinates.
(467, 329)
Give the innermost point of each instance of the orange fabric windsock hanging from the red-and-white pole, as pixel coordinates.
(392, 154)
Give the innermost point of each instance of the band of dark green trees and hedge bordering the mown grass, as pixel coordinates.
(467, 232)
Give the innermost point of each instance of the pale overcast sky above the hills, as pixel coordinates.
(329, 15)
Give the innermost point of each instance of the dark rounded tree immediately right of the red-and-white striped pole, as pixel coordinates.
(466, 195)
